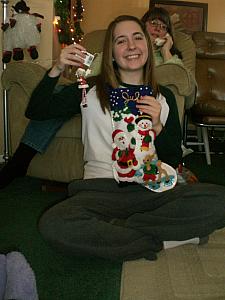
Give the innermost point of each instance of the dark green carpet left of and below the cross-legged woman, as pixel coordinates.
(58, 277)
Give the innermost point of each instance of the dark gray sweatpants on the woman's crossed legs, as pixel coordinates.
(121, 223)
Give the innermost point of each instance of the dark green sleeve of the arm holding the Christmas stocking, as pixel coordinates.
(168, 142)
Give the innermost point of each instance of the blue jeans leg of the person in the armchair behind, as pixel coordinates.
(39, 134)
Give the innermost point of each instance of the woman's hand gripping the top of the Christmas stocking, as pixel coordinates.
(150, 106)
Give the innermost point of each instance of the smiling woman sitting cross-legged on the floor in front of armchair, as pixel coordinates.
(100, 217)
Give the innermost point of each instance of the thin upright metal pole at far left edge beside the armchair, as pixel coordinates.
(5, 95)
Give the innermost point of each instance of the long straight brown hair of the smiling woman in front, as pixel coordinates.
(109, 75)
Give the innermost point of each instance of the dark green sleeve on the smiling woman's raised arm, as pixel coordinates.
(50, 101)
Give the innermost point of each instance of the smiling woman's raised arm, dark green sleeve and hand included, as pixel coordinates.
(48, 101)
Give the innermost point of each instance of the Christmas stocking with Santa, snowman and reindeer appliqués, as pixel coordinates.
(134, 155)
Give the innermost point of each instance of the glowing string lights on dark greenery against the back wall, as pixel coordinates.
(67, 21)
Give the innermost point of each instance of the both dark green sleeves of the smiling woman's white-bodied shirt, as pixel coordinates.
(49, 101)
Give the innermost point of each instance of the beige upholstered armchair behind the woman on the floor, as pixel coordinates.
(63, 160)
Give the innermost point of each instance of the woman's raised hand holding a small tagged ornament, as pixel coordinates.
(72, 55)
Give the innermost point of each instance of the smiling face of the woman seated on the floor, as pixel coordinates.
(130, 49)
